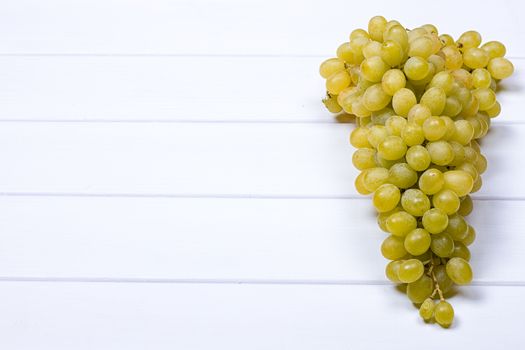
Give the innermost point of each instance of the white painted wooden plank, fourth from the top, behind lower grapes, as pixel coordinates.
(316, 240)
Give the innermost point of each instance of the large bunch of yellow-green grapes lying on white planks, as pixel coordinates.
(422, 100)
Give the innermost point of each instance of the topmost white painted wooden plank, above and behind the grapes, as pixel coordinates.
(233, 27)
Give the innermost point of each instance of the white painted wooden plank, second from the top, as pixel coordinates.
(181, 89)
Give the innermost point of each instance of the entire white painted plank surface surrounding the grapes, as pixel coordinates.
(170, 180)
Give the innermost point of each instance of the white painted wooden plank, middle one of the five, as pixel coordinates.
(210, 159)
